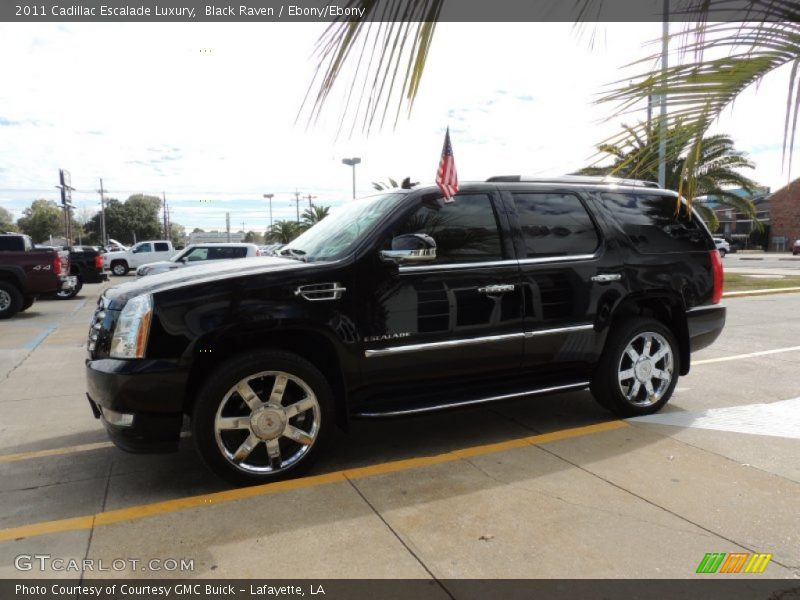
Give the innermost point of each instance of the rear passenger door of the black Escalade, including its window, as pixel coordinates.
(565, 272)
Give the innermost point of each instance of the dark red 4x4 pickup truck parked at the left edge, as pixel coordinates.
(26, 272)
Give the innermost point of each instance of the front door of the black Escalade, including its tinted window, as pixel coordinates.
(456, 319)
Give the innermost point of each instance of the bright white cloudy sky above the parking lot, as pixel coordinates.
(206, 113)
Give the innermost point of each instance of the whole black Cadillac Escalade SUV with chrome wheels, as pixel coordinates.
(402, 303)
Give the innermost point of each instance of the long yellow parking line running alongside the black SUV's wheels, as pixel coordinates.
(159, 508)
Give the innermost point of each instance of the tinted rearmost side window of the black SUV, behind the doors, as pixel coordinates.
(653, 225)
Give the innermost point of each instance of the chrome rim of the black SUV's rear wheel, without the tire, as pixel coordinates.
(646, 369)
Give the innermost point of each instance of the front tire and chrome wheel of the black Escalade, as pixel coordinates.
(262, 416)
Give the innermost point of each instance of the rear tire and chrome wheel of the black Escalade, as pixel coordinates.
(638, 370)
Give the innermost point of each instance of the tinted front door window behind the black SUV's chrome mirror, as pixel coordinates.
(465, 230)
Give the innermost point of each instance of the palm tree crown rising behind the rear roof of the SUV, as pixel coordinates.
(715, 169)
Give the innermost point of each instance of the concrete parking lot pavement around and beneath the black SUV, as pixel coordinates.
(545, 487)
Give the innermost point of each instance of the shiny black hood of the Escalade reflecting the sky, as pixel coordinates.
(229, 269)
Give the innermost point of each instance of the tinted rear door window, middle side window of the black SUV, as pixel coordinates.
(554, 225)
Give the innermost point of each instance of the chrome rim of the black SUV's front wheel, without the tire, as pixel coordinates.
(267, 422)
